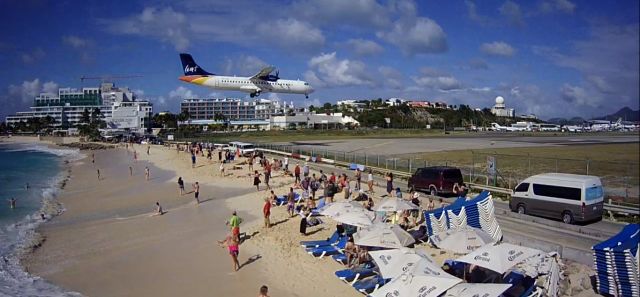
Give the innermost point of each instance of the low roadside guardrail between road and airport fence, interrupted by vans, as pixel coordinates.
(611, 206)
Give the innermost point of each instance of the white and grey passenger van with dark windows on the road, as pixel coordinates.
(570, 197)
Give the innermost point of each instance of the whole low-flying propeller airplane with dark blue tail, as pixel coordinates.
(261, 82)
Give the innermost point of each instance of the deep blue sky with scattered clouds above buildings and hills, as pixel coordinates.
(552, 58)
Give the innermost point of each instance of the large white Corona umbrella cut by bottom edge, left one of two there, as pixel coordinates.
(420, 280)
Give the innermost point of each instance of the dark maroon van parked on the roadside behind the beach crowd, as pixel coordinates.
(435, 180)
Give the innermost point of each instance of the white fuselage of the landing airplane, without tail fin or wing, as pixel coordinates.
(249, 85)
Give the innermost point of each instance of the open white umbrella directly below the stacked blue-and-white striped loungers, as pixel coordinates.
(462, 241)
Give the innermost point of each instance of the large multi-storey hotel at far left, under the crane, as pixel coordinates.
(118, 106)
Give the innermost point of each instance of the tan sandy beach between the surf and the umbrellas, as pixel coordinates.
(109, 243)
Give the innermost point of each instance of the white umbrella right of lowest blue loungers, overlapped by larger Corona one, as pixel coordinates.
(395, 262)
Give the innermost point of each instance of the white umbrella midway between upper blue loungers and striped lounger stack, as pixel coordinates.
(383, 235)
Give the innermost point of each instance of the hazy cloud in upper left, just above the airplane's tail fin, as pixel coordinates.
(164, 24)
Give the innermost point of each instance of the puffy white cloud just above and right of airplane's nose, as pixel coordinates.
(327, 70)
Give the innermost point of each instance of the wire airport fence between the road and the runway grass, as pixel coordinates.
(620, 179)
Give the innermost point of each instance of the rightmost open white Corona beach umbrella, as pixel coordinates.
(500, 257)
